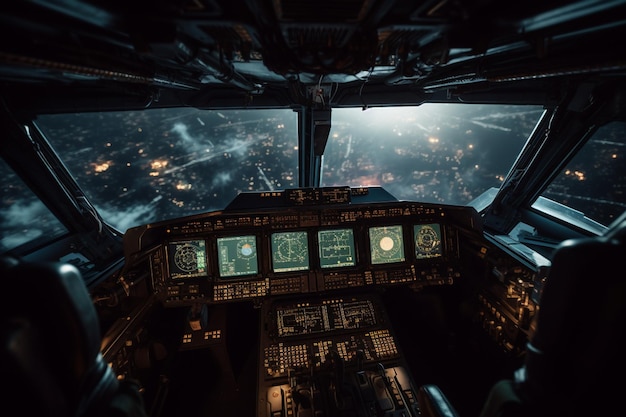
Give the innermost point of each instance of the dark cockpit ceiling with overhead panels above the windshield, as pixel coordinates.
(253, 47)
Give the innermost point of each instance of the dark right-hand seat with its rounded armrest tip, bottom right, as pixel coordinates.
(575, 363)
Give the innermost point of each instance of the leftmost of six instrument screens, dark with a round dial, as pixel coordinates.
(187, 258)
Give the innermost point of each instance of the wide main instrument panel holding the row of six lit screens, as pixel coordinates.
(285, 245)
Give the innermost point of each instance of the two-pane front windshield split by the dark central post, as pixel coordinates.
(141, 167)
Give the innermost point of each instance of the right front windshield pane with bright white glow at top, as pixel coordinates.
(435, 153)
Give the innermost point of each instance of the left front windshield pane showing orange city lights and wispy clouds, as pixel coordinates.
(138, 167)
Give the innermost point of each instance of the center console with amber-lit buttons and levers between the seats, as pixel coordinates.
(332, 357)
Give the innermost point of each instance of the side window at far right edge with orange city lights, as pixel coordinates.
(593, 182)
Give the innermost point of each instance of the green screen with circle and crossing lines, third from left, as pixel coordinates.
(290, 251)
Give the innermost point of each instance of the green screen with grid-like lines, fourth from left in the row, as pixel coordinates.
(336, 248)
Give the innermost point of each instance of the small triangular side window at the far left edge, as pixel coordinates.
(23, 217)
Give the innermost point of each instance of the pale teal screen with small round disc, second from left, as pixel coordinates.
(237, 255)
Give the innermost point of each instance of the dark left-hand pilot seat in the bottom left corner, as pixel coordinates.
(50, 358)
